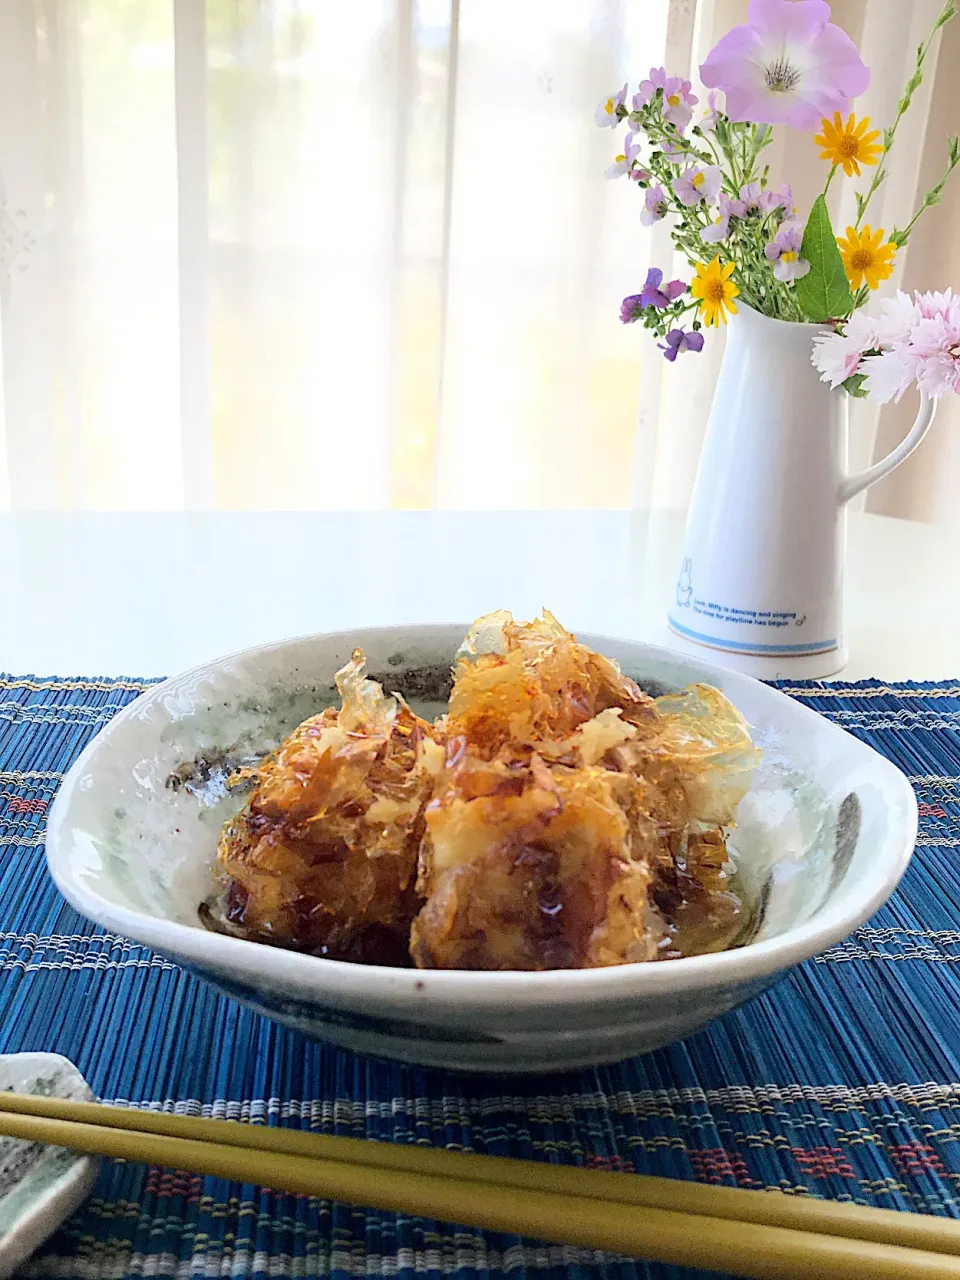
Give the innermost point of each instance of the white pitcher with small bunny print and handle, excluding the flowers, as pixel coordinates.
(762, 570)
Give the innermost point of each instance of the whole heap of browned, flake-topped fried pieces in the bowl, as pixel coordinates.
(557, 817)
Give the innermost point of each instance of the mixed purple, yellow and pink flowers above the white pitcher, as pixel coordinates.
(743, 237)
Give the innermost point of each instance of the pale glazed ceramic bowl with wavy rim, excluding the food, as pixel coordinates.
(824, 838)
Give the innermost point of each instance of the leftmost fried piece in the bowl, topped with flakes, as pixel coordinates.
(323, 857)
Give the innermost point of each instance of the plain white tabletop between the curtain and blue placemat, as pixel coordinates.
(152, 595)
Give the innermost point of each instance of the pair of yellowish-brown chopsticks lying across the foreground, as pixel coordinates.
(767, 1236)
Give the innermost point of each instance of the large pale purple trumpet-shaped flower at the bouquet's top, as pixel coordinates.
(788, 65)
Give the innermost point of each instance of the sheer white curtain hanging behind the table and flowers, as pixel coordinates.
(262, 254)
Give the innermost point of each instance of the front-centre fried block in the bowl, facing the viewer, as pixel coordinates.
(533, 867)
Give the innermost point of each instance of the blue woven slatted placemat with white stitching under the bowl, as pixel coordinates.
(843, 1082)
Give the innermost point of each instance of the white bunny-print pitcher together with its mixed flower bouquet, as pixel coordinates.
(762, 561)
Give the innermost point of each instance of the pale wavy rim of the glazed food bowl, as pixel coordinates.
(342, 982)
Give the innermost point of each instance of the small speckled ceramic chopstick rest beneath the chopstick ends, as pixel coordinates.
(39, 1186)
